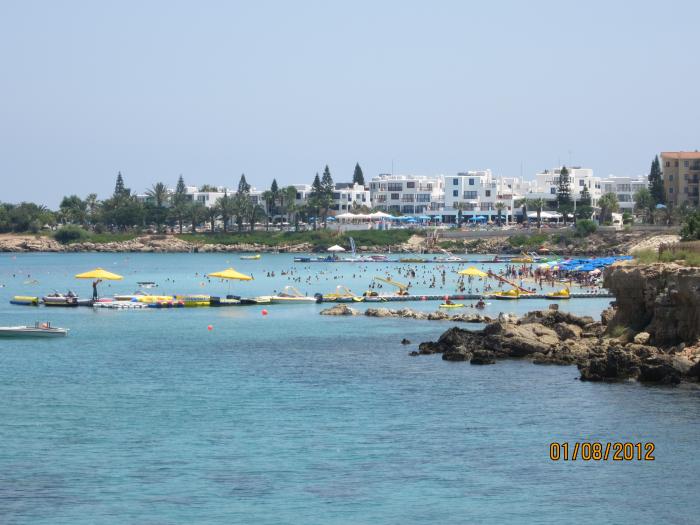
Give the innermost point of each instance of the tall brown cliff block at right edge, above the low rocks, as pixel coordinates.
(662, 300)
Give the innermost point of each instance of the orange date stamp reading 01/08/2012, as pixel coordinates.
(598, 451)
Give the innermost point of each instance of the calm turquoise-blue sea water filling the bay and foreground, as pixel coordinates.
(148, 417)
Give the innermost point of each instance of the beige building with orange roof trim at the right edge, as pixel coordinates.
(681, 174)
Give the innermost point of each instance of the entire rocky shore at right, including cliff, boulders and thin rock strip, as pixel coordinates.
(650, 334)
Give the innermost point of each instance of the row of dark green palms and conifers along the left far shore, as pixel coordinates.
(176, 210)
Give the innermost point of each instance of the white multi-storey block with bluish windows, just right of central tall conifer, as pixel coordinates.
(407, 194)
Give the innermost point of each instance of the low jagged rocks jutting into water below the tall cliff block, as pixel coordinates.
(558, 338)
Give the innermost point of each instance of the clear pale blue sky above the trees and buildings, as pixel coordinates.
(212, 89)
